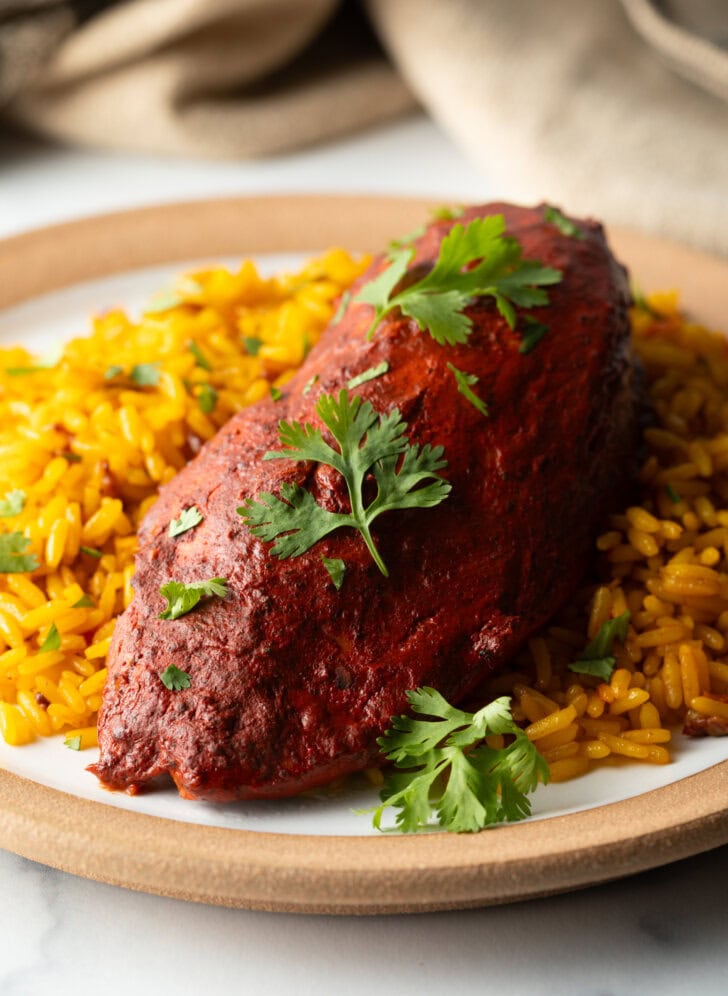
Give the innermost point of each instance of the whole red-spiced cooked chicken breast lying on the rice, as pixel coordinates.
(292, 680)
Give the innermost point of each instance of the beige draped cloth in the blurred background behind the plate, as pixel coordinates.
(616, 108)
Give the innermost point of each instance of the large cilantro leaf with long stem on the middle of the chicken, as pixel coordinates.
(368, 443)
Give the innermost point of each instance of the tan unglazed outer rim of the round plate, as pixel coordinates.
(338, 874)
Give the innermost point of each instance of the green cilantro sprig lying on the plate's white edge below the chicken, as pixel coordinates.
(442, 763)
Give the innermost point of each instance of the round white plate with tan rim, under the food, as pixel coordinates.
(312, 854)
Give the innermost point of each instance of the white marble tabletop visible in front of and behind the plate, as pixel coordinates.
(661, 932)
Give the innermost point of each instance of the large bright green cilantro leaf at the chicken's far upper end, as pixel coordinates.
(474, 261)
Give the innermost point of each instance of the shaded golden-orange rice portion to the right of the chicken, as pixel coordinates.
(663, 559)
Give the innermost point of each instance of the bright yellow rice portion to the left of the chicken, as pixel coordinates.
(89, 451)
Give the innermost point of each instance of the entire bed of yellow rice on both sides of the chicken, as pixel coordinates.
(662, 559)
